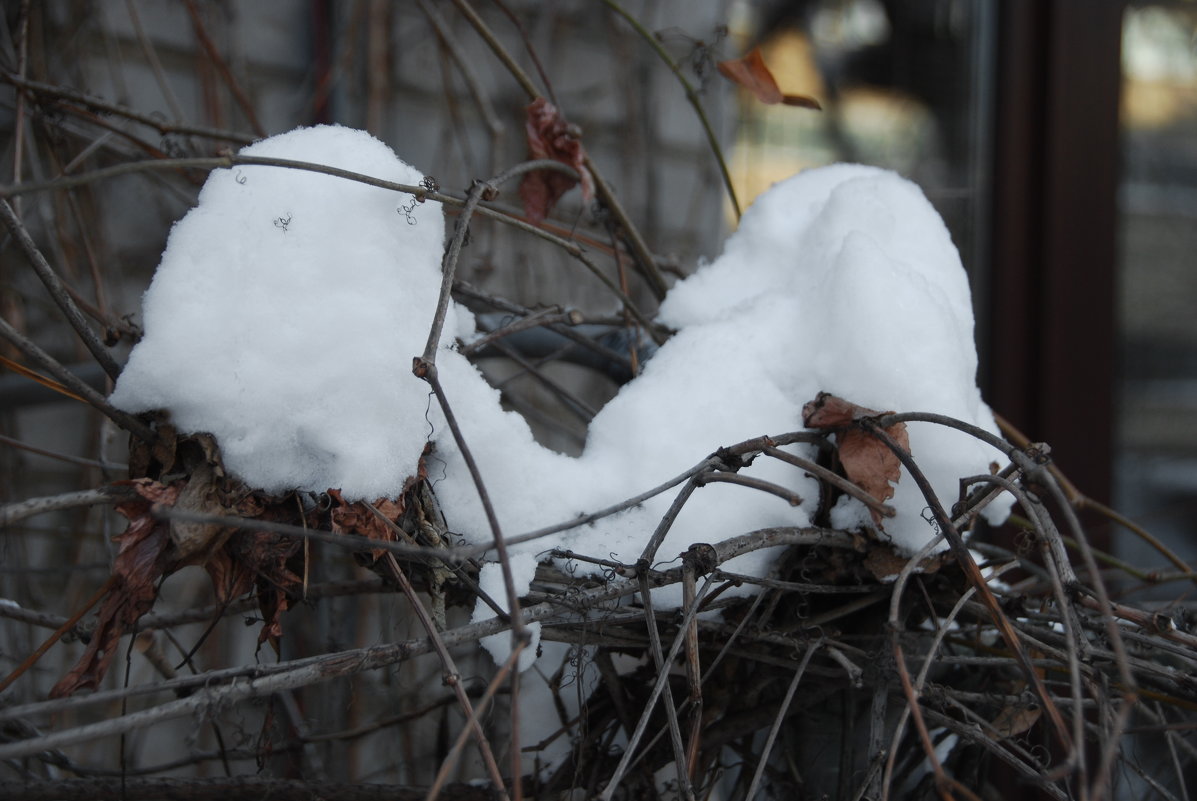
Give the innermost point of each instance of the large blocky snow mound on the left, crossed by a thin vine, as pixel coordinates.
(285, 314)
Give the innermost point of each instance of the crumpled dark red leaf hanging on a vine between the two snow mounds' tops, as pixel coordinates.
(551, 137)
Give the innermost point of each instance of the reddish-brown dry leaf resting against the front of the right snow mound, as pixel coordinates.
(867, 462)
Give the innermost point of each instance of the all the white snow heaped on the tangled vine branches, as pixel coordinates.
(289, 306)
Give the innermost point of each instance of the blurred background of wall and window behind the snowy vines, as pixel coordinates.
(1059, 139)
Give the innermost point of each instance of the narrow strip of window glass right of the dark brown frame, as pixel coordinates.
(1157, 435)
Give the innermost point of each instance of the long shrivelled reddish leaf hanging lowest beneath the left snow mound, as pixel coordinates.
(145, 556)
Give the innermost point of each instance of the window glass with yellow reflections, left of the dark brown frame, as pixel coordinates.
(904, 86)
